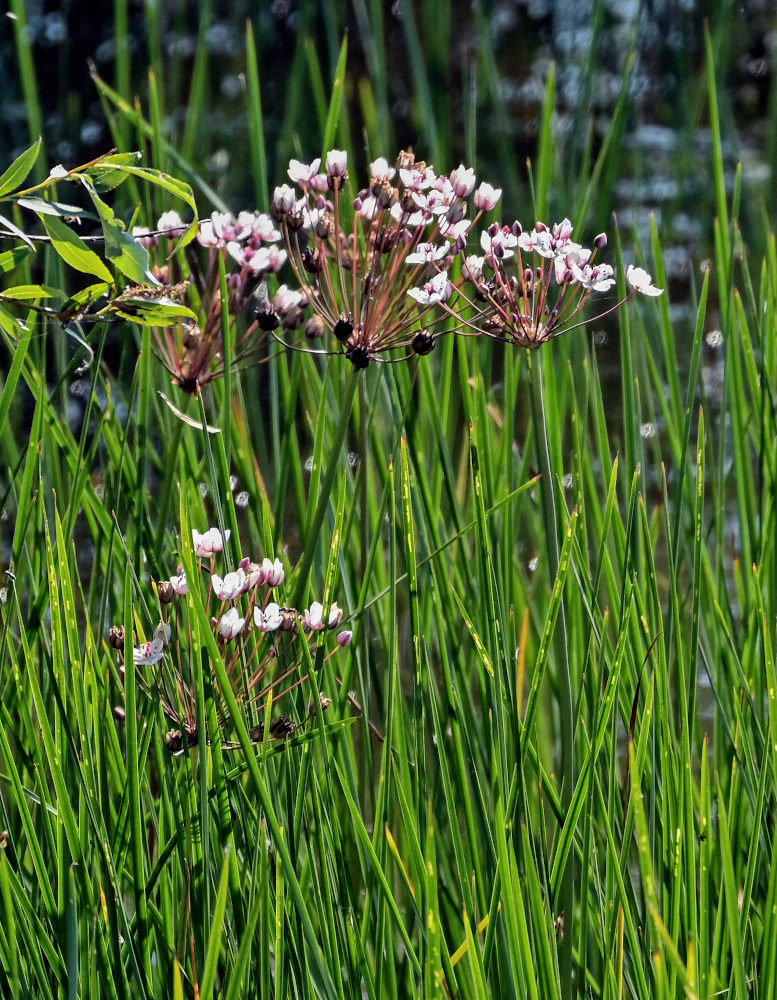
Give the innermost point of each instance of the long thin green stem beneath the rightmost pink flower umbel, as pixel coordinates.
(566, 901)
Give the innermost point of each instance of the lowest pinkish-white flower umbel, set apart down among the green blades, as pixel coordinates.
(261, 642)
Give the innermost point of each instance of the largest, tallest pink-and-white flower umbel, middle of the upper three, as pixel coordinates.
(373, 268)
